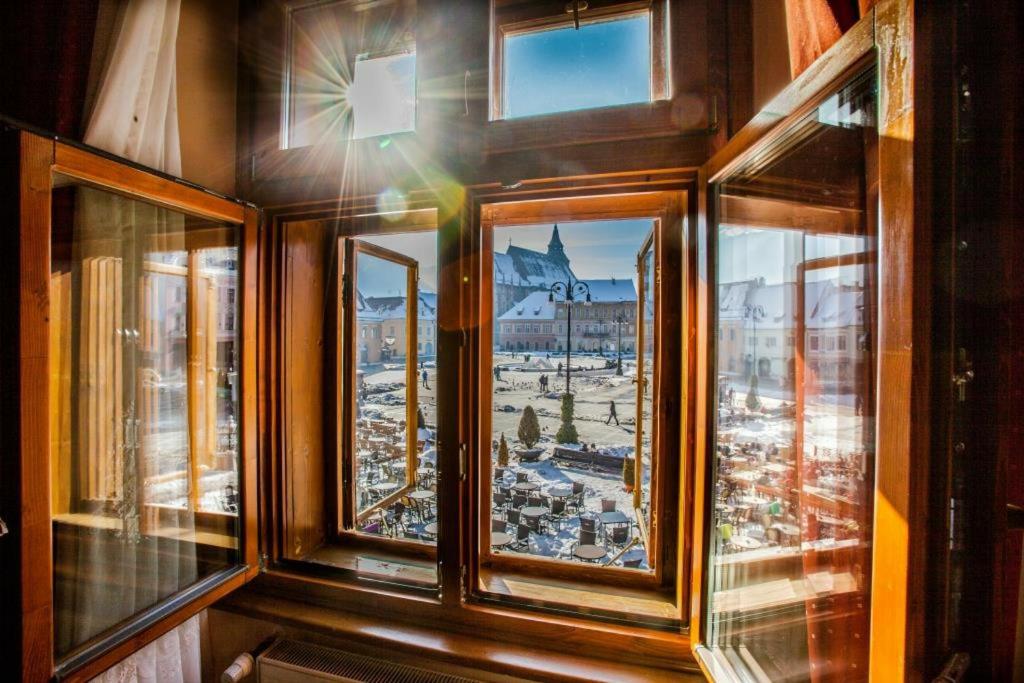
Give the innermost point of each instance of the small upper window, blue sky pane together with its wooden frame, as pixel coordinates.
(544, 65)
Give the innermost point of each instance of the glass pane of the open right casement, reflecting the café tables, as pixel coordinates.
(797, 267)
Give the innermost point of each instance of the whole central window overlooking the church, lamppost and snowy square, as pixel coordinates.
(580, 498)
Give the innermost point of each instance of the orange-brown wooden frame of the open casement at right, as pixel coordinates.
(884, 38)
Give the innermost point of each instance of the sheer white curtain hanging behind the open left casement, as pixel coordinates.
(135, 116)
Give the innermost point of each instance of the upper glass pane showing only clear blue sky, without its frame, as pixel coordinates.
(562, 70)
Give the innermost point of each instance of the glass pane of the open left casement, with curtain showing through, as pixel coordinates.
(145, 353)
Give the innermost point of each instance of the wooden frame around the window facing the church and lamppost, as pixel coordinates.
(668, 210)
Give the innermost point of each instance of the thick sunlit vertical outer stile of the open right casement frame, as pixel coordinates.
(902, 471)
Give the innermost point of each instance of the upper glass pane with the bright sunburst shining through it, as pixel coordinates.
(353, 71)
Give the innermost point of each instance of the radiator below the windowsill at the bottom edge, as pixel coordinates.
(292, 662)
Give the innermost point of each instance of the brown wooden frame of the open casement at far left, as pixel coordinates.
(39, 159)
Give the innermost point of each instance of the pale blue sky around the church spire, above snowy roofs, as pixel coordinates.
(598, 249)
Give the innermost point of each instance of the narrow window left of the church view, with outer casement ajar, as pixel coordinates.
(363, 500)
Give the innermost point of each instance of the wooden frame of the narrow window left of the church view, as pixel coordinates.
(290, 511)
